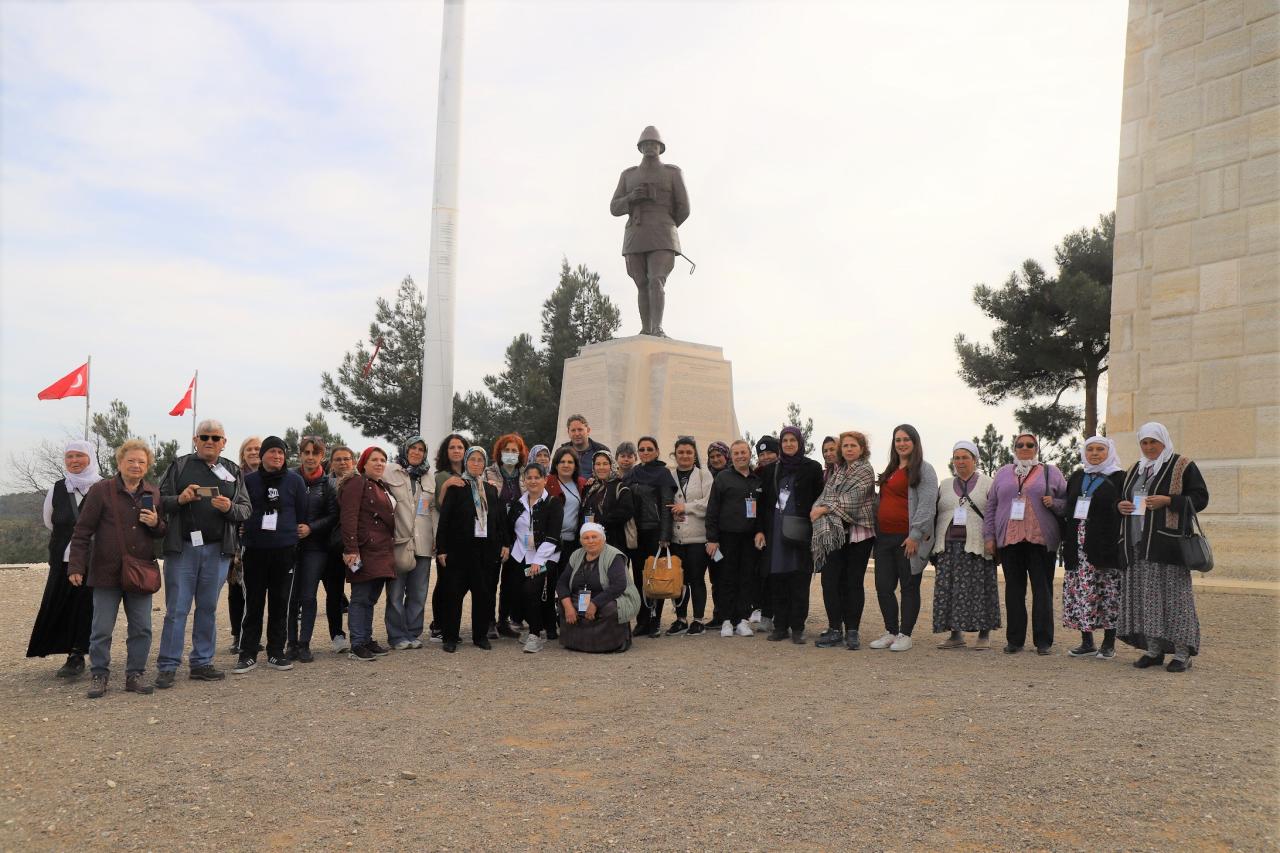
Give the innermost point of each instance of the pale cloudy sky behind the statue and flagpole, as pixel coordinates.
(231, 186)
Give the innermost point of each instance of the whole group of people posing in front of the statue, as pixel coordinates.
(552, 545)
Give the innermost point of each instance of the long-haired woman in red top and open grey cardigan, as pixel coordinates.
(904, 536)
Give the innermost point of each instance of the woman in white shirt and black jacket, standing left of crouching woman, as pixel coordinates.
(533, 536)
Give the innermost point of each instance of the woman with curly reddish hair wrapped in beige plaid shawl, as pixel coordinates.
(844, 533)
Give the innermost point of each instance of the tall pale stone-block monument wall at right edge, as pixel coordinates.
(1196, 297)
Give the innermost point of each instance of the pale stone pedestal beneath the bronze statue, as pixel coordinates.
(646, 386)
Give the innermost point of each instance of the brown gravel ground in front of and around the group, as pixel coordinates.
(684, 743)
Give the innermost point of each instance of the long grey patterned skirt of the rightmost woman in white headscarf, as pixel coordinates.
(1158, 608)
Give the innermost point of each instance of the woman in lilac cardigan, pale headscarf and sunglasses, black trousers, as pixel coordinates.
(1021, 522)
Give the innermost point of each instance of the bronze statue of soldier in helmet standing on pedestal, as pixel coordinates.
(653, 198)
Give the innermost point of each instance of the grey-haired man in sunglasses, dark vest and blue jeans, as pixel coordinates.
(205, 501)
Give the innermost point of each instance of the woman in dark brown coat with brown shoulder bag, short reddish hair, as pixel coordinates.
(118, 518)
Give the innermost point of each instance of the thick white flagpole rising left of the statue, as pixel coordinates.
(437, 410)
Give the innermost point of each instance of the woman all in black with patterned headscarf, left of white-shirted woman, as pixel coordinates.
(469, 544)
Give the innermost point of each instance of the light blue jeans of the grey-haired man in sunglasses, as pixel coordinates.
(196, 574)
